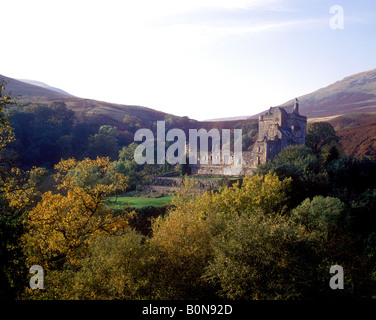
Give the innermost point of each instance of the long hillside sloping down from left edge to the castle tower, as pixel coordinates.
(104, 112)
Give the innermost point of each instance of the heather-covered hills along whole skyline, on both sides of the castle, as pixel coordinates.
(349, 105)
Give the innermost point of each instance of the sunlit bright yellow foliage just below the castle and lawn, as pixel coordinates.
(186, 228)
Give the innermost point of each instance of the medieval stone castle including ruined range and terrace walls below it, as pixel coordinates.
(278, 128)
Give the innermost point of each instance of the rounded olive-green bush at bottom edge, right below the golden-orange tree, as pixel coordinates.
(115, 268)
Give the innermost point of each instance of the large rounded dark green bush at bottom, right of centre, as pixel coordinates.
(263, 257)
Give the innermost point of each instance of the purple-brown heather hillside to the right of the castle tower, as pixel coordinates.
(350, 106)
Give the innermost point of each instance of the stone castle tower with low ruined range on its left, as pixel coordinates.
(278, 128)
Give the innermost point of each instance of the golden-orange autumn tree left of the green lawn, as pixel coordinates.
(62, 225)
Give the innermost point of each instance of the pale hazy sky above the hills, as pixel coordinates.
(199, 58)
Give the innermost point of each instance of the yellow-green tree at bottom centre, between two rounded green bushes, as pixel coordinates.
(181, 245)
